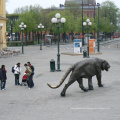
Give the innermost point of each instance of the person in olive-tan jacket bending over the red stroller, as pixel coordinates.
(29, 74)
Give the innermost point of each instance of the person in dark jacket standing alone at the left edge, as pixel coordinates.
(3, 77)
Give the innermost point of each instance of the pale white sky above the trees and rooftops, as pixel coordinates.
(11, 5)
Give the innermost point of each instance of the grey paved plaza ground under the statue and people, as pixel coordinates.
(44, 103)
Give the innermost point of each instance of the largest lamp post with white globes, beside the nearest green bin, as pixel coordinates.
(56, 21)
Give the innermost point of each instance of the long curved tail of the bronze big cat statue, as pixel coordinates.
(63, 79)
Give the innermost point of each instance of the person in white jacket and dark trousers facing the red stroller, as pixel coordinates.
(17, 73)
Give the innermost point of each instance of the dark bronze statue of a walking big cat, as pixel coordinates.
(84, 69)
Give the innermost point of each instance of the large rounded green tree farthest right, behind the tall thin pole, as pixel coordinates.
(108, 13)
